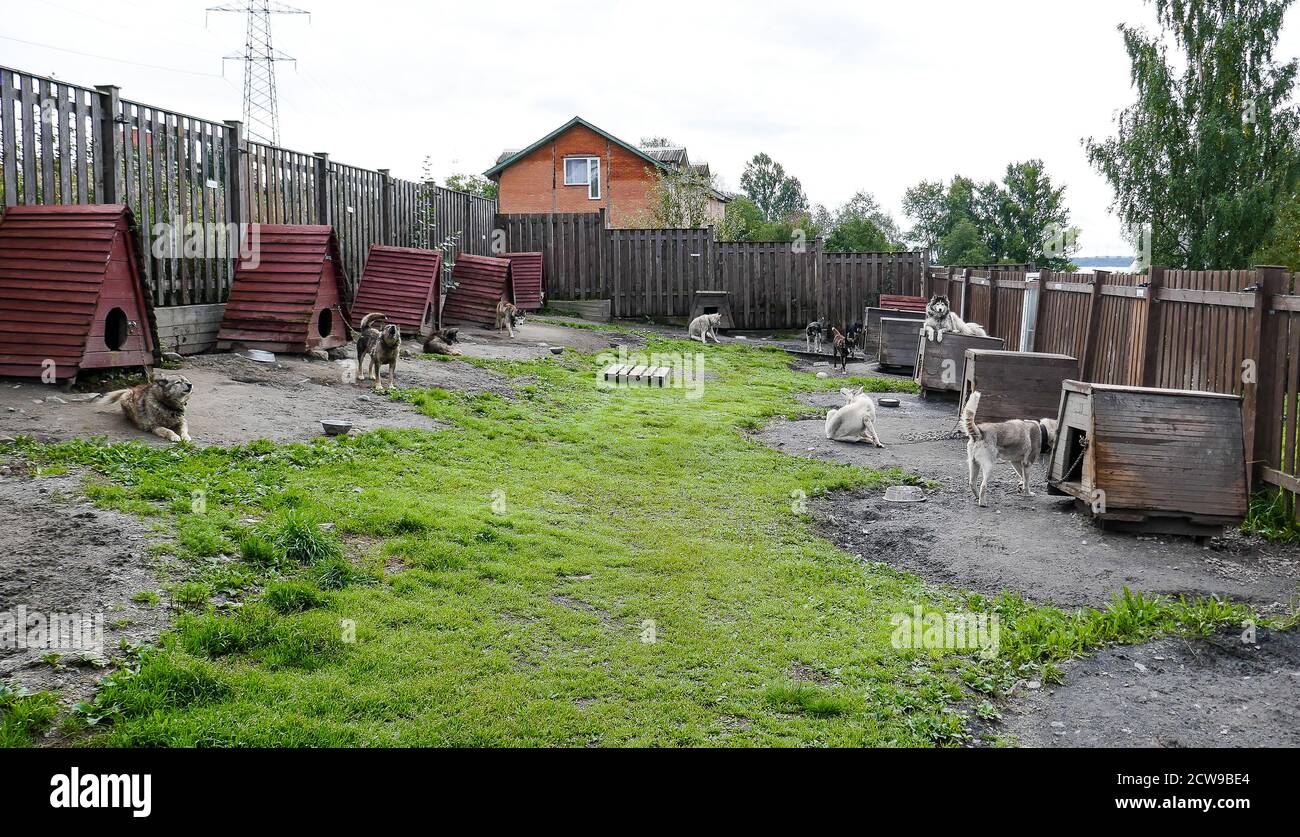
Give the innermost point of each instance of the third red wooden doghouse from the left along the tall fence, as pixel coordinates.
(405, 285)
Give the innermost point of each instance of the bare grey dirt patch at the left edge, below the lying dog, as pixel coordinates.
(62, 556)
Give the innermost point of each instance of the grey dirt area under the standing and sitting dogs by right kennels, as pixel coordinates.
(1039, 547)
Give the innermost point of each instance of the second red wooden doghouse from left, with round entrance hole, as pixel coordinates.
(291, 296)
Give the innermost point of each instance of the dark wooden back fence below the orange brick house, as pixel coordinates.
(656, 274)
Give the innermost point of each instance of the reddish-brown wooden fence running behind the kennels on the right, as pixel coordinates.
(1234, 332)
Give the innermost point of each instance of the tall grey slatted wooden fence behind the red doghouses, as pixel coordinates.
(190, 181)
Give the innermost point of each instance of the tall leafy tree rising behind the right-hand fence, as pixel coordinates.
(1210, 148)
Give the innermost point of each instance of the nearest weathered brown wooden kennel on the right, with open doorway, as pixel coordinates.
(1165, 461)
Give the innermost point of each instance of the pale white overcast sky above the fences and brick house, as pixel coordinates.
(847, 96)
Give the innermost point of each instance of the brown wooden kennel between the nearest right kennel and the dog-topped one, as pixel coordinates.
(1016, 385)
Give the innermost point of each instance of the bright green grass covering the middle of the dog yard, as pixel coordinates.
(531, 549)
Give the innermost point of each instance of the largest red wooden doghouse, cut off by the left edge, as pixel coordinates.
(72, 292)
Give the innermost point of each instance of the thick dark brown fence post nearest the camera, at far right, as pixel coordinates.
(1259, 411)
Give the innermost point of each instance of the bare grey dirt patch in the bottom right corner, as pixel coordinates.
(1172, 693)
